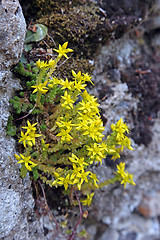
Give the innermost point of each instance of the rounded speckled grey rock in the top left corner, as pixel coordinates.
(12, 33)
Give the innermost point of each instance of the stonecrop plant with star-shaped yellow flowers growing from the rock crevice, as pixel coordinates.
(62, 136)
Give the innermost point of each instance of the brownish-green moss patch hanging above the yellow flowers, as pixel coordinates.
(78, 22)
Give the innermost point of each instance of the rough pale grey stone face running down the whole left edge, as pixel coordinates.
(16, 201)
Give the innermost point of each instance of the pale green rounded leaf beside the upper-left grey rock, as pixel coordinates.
(40, 33)
